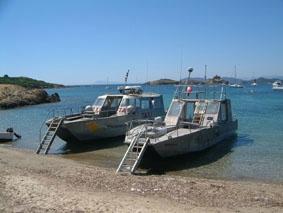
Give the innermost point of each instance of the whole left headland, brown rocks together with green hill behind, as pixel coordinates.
(22, 91)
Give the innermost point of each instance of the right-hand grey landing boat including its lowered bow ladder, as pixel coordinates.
(195, 120)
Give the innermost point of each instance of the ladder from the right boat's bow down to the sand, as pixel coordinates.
(134, 153)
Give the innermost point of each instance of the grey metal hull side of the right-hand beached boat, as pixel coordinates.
(183, 141)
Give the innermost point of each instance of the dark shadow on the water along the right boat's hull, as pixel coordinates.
(157, 165)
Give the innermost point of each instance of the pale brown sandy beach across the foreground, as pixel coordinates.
(36, 183)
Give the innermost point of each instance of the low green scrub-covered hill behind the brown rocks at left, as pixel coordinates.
(27, 82)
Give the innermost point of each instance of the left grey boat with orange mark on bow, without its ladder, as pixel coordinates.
(108, 116)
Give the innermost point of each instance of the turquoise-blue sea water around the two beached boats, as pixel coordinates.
(256, 153)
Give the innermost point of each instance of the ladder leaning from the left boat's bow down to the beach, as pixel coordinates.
(49, 136)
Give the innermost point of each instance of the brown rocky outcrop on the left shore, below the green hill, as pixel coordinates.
(12, 96)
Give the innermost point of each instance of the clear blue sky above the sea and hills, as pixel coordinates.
(80, 42)
